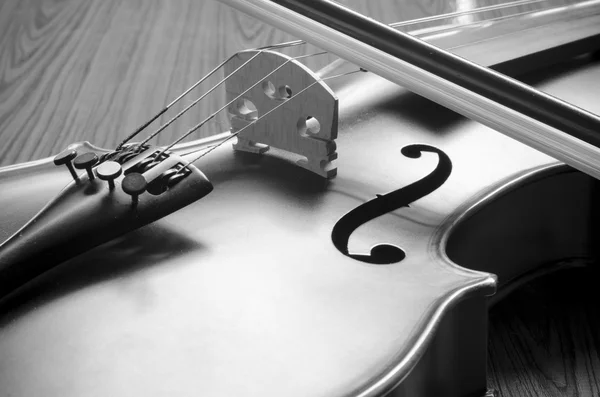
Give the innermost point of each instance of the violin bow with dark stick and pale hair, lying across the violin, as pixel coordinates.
(546, 123)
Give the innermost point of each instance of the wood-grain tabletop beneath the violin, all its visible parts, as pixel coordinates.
(94, 70)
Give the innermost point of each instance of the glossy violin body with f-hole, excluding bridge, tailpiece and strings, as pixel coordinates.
(244, 292)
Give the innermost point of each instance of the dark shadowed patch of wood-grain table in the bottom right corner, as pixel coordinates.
(544, 338)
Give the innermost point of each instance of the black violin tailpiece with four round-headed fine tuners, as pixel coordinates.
(127, 190)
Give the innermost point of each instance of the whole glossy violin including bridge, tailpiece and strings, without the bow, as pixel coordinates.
(343, 238)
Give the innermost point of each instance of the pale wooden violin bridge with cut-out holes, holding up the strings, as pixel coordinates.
(300, 111)
